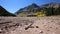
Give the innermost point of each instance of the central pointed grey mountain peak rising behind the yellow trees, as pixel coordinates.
(28, 9)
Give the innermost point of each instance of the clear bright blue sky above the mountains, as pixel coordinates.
(14, 5)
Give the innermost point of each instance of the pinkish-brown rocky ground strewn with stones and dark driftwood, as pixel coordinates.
(29, 25)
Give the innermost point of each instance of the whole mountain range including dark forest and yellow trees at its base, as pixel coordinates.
(49, 9)
